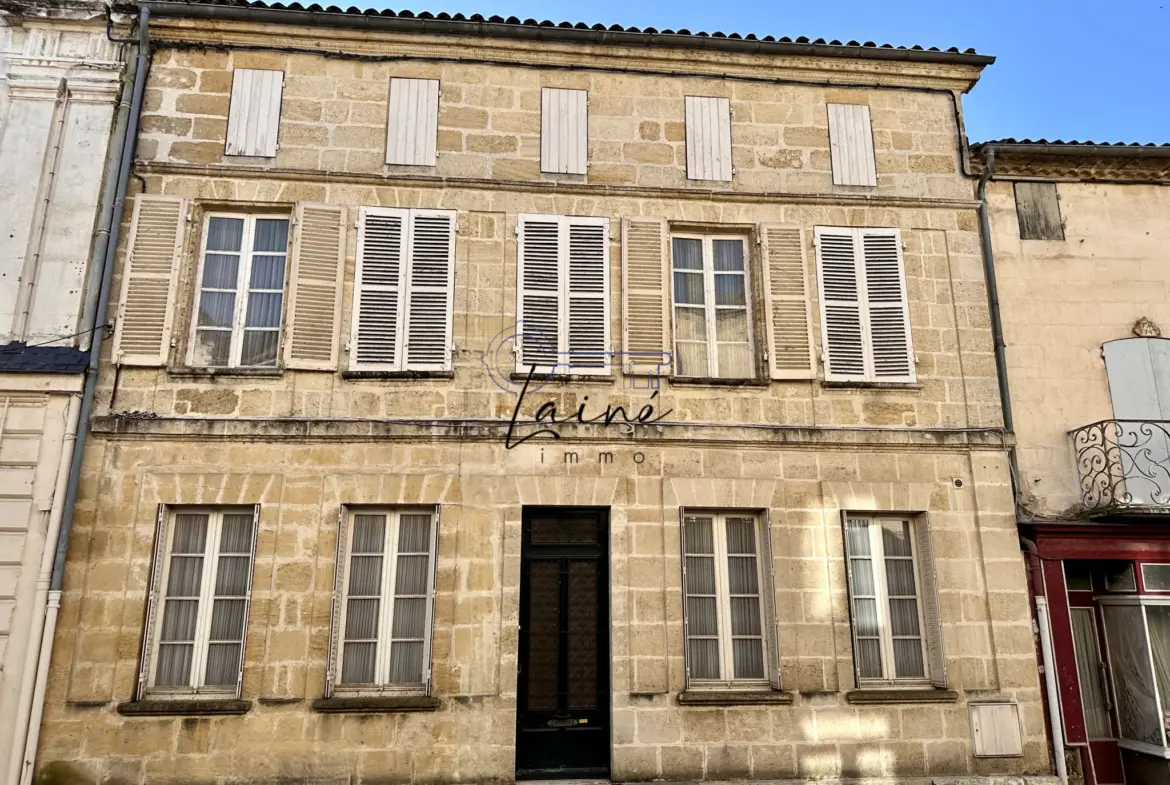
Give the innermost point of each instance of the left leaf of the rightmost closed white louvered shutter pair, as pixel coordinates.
(843, 336)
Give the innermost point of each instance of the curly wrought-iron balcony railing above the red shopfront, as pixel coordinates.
(1124, 466)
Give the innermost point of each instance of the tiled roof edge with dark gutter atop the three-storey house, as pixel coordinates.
(548, 31)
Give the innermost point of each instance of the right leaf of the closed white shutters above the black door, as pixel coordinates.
(588, 294)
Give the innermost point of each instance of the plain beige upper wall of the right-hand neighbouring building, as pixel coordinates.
(1061, 301)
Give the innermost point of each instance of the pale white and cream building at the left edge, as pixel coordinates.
(60, 79)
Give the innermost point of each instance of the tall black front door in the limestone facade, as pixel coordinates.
(563, 707)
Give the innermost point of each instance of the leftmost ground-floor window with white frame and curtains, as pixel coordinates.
(198, 607)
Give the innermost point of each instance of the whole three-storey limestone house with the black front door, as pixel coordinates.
(361, 505)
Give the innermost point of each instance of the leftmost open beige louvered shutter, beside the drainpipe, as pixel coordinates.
(149, 281)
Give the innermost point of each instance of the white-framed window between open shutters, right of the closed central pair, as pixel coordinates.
(712, 316)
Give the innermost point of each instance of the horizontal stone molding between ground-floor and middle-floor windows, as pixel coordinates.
(336, 430)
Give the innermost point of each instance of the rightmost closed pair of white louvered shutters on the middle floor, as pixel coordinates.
(865, 314)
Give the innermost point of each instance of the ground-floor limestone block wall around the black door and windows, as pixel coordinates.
(483, 490)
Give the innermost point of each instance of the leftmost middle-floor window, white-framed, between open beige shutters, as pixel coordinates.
(240, 299)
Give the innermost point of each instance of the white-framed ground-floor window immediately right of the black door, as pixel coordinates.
(727, 611)
